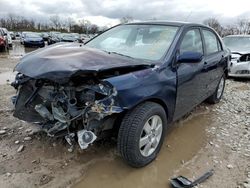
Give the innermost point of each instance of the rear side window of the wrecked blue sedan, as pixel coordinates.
(211, 42)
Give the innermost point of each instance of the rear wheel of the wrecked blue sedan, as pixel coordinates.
(218, 93)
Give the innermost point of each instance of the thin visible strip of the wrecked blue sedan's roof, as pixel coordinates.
(172, 23)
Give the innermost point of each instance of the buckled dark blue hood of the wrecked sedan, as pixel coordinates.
(60, 61)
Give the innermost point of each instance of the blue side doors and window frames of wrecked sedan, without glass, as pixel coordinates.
(197, 81)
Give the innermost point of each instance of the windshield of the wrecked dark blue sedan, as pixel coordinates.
(148, 42)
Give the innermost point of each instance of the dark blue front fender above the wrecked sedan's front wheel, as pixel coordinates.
(147, 84)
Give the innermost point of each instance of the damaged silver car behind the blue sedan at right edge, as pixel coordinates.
(239, 46)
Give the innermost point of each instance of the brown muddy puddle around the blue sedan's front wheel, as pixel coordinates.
(185, 139)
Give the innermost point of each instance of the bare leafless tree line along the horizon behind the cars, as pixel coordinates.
(55, 23)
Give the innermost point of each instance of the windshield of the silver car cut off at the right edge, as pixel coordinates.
(238, 44)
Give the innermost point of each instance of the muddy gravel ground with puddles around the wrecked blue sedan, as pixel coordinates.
(211, 137)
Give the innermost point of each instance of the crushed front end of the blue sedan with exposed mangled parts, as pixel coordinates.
(79, 108)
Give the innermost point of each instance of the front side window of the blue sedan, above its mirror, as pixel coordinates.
(192, 42)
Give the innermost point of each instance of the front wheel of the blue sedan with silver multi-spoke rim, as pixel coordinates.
(132, 133)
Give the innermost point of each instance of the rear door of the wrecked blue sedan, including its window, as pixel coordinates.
(213, 61)
